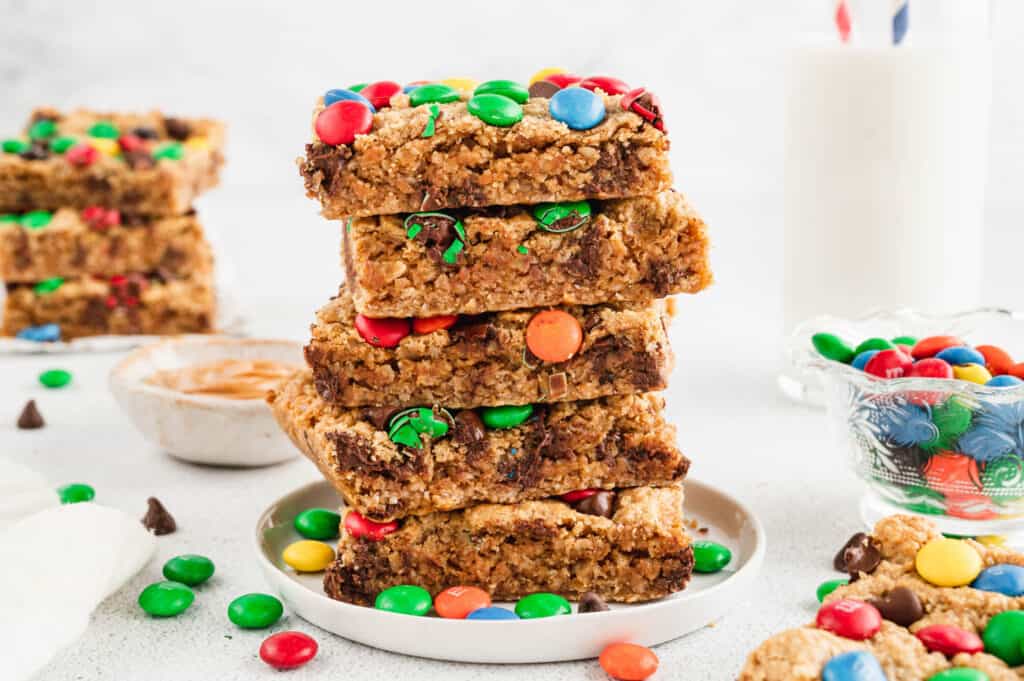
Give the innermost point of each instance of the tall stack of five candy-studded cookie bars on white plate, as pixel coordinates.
(481, 391)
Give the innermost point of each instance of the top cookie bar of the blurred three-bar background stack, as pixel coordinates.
(145, 164)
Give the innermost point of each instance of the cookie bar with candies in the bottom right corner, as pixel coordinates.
(918, 605)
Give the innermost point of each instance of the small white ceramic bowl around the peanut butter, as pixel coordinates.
(204, 430)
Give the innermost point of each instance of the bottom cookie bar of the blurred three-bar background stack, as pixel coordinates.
(124, 305)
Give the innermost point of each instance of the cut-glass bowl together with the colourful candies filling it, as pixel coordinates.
(932, 418)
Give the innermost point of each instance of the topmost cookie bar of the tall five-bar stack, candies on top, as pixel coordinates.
(435, 148)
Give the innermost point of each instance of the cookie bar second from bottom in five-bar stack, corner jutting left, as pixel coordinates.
(388, 467)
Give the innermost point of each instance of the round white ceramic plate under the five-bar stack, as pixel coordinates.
(571, 637)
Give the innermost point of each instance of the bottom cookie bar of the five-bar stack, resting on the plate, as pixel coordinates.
(641, 554)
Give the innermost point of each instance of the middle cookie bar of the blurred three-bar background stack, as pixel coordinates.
(68, 243)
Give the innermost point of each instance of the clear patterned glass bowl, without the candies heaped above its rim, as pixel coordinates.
(948, 449)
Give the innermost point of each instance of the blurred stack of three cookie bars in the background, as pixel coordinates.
(98, 235)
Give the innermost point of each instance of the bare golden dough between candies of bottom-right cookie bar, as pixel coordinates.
(800, 655)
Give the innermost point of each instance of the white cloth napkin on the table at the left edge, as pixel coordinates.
(58, 563)
